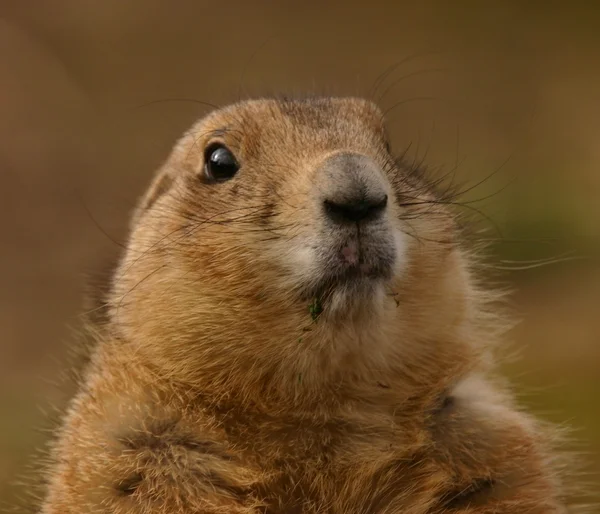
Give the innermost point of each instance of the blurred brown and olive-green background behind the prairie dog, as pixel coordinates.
(506, 94)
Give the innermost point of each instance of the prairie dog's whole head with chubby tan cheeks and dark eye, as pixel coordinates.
(281, 241)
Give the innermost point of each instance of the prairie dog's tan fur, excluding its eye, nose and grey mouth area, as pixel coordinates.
(213, 390)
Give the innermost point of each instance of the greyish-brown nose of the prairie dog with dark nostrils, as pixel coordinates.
(353, 188)
